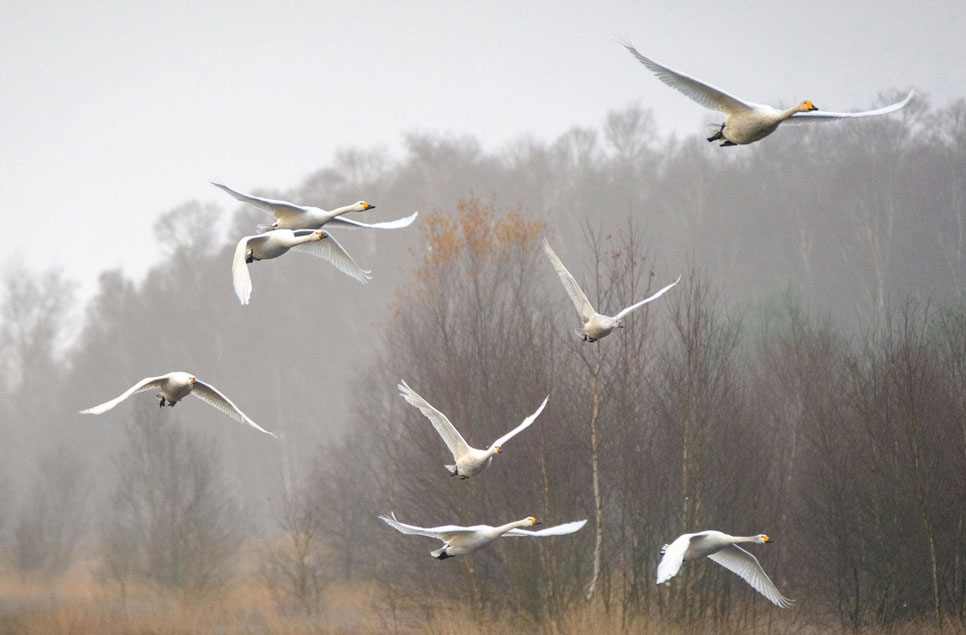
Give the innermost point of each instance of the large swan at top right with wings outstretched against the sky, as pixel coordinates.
(747, 122)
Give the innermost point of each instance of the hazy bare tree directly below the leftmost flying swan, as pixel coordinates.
(172, 521)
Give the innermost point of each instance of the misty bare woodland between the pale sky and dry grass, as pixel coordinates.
(806, 379)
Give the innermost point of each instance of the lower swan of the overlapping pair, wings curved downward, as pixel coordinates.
(274, 243)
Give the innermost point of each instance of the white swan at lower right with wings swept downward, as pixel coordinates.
(723, 549)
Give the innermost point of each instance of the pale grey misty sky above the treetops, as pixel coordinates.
(113, 112)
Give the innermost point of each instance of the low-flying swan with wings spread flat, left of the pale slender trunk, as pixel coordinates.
(458, 541)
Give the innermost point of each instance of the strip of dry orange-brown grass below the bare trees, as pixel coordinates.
(77, 605)
